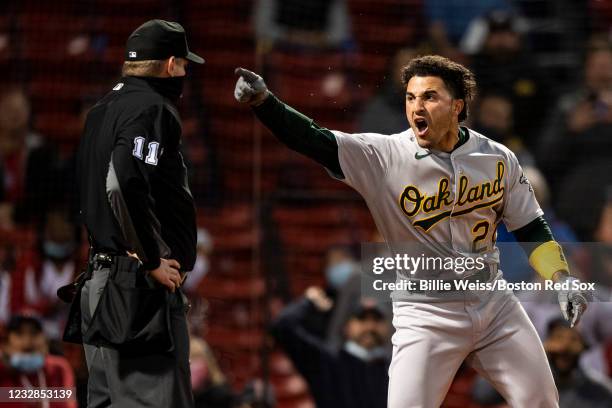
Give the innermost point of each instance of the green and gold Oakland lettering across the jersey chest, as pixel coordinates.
(488, 193)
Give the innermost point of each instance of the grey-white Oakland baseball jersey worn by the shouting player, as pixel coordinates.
(451, 202)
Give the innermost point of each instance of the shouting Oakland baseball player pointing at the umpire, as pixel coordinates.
(447, 187)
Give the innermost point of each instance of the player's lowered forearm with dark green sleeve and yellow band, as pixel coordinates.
(545, 254)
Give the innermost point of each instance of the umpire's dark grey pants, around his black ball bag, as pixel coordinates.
(119, 380)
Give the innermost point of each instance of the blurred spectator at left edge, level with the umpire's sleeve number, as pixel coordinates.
(27, 165)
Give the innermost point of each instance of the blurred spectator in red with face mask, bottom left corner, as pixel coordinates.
(25, 362)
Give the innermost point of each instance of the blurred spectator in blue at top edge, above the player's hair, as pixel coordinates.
(449, 19)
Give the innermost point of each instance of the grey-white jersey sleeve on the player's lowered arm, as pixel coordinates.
(521, 206)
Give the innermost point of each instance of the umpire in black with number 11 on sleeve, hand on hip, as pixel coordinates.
(140, 216)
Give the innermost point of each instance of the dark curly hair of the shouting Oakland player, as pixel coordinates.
(459, 80)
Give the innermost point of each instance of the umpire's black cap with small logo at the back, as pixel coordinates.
(158, 40)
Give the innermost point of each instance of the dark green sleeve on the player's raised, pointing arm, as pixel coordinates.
(299, 132)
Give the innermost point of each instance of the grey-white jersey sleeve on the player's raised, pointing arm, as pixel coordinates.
(363, 158)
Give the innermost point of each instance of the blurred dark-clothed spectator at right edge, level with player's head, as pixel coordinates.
(578, 131)
